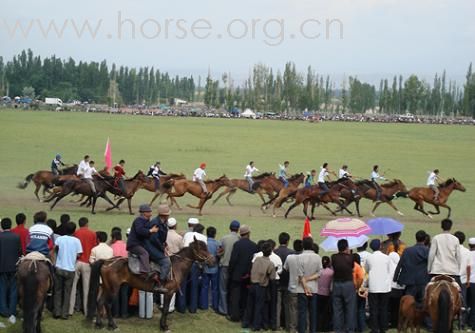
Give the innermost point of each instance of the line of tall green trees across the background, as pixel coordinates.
(264, 90)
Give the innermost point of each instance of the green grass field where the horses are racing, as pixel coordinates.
(29, 141)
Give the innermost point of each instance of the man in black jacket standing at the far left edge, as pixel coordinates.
(10, 251)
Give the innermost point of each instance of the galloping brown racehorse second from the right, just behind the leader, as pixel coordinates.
(389, 191)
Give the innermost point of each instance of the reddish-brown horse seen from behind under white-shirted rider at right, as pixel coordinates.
(443, 303)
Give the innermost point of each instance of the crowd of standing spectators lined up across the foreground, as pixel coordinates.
(262, 285)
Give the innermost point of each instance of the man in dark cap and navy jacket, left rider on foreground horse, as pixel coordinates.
(140, 231)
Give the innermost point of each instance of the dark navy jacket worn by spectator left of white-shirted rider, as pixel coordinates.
(412, 268)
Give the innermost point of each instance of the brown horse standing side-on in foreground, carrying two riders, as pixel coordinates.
(114, 272)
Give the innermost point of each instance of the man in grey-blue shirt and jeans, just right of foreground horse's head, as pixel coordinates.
(210, 273)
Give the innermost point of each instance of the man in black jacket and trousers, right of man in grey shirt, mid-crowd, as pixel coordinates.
(239, 272)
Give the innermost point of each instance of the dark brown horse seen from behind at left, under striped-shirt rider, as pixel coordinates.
(33, 279)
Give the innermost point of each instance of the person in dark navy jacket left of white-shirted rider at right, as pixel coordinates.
(411, 270)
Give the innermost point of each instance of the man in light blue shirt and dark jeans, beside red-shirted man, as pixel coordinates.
(68, 250)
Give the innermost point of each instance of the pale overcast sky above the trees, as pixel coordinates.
(368, 38)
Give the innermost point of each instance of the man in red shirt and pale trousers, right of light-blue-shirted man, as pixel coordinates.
(88, 240)
